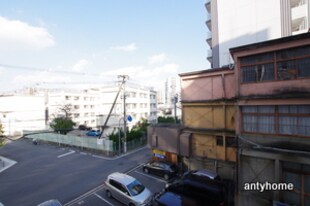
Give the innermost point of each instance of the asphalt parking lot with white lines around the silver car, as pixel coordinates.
(98, 196)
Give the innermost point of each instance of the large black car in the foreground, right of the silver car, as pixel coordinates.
(200, 184)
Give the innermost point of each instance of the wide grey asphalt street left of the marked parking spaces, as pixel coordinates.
(47, 172)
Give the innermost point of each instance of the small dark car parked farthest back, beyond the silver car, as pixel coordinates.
(166, 170)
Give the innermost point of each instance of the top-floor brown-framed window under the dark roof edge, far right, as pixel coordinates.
(280, 65)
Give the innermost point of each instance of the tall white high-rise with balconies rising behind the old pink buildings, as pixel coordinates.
(239, 22)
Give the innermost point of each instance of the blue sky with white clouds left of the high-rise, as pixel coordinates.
(76, 43)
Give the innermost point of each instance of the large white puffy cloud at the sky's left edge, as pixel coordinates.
(18, 35)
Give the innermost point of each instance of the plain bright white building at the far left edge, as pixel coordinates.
(22, 112)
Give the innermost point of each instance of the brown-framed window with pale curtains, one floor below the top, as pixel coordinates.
(284, 119)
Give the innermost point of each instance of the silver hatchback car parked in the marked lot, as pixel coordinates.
(127, 190)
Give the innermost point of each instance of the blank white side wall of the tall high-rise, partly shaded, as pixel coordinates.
(242, 22)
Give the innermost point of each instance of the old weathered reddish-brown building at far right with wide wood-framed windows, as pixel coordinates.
(272, 81)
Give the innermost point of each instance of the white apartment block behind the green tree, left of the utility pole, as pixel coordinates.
(83, 105)
